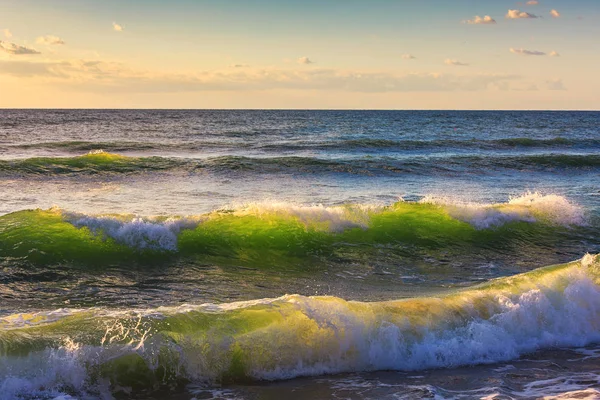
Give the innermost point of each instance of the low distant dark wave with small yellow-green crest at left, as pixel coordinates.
(99, 162)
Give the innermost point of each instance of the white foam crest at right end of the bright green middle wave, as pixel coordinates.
(530, 207)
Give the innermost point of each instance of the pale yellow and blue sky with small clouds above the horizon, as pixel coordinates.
(310, 54)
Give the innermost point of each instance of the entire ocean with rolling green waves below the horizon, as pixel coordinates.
(153, 254)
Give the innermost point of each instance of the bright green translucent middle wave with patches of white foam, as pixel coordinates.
(287, 230)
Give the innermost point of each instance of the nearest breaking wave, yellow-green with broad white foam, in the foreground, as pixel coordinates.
(94, 350)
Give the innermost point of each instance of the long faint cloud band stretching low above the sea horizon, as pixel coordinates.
(103, 77)
